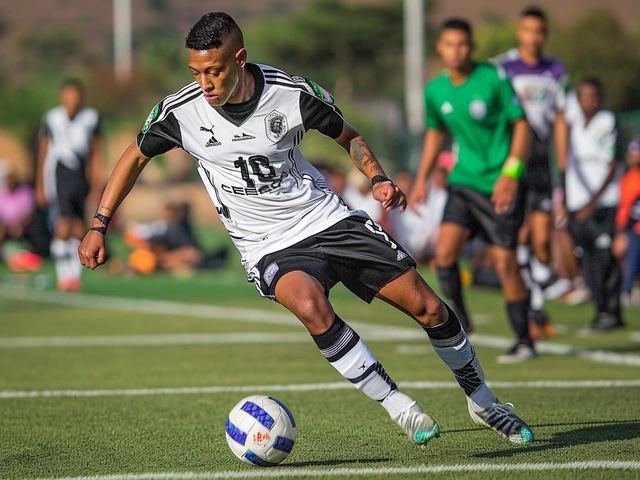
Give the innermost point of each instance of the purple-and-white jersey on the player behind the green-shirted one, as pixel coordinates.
(541, 88)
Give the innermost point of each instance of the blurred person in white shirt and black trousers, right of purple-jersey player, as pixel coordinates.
(591, 175)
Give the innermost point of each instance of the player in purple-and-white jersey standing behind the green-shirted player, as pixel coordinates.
(541, 84)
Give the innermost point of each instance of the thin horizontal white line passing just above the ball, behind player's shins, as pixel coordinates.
(308, 387)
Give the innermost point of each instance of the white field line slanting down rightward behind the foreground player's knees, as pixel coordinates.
(254, 315)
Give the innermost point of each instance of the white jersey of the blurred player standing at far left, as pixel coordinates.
(69, 141)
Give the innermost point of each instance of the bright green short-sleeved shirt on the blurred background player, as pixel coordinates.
(479, 114)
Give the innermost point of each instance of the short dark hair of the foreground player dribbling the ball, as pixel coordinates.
(213, 30)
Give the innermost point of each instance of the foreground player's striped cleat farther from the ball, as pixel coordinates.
(500, 417)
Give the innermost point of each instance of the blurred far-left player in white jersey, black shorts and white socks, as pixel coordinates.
(69, 169)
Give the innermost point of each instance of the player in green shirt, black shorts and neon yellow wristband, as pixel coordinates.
(476, 103)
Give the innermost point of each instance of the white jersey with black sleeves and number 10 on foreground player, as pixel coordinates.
(266, 194)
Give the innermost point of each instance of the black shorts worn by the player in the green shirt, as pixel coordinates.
(475, 211)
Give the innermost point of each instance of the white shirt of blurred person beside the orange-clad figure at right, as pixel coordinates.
(592, 148)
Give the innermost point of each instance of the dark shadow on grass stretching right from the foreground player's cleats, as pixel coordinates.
(595, 432)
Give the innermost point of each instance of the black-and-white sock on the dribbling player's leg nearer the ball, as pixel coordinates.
(348, 354)
